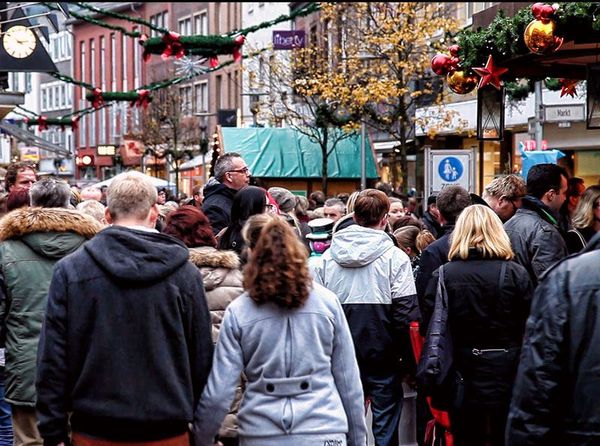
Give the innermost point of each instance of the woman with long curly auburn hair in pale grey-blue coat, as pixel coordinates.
(291, 339)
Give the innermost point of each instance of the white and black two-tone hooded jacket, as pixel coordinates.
(374, 282)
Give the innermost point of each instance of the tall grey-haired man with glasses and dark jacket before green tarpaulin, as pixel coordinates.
(231, 175)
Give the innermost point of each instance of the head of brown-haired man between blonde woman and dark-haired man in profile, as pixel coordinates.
(504, 195)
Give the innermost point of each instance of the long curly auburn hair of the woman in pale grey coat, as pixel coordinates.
(277, 269)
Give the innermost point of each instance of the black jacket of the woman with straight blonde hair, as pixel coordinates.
(484, 316)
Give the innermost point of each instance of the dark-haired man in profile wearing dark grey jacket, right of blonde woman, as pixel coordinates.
(533, 230)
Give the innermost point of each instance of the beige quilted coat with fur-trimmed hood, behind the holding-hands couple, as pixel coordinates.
(223, 283)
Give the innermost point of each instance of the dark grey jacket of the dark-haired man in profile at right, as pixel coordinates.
(535, 237)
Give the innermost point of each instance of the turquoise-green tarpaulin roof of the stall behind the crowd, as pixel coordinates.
(287, 153)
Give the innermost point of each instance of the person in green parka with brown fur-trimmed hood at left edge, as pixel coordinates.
(33, 240)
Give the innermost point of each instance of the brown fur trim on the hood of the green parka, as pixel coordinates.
(23, 221)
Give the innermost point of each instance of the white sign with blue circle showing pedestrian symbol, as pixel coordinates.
(449, 168)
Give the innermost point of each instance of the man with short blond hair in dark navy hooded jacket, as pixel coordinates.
(126, 344)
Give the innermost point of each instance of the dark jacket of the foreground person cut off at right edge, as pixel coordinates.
(556, 399)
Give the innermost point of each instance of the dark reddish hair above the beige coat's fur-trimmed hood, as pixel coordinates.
(190, 225)
